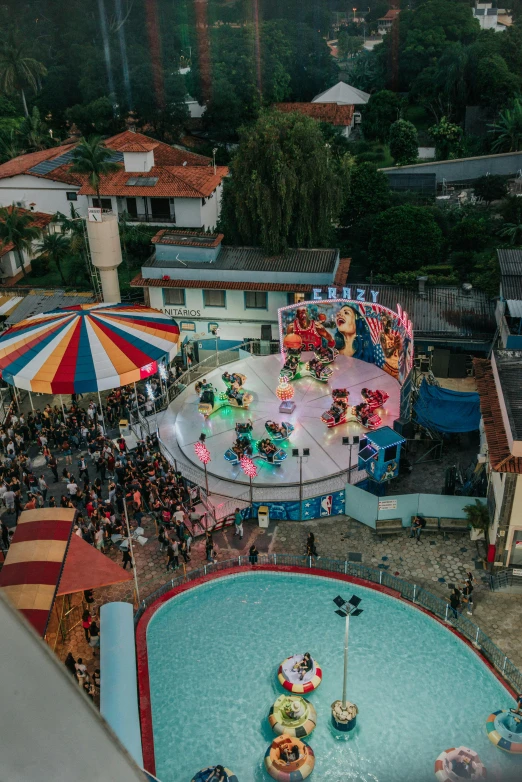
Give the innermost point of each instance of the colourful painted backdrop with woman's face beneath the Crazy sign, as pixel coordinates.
(363, 330)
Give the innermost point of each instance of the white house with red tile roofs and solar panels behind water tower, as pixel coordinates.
(155, 183)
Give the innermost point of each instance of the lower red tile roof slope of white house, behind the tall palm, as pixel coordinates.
(173, 181)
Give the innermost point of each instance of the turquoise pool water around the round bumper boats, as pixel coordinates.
(213, 657)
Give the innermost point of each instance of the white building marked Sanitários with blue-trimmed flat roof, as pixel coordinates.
(238, 290)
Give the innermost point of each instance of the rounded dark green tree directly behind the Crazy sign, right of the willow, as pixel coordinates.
(404, 238)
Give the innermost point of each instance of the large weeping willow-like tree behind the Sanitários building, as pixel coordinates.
(285, 187)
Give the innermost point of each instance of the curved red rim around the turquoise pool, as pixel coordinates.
(145, 710)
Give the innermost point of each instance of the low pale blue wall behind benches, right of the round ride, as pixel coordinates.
(364, 507)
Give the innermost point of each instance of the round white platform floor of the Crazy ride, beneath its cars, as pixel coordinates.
(182, 424)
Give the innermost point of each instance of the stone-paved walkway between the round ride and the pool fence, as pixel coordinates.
(433, 564)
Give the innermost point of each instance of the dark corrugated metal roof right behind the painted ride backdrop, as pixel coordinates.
(444, 311)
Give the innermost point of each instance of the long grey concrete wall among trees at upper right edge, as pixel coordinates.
(464, 169)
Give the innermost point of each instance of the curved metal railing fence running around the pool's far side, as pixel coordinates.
(412, 592)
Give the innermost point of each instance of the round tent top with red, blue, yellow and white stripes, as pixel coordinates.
(87, 348)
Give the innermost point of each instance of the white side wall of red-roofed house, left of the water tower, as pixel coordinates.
(49, 196)
